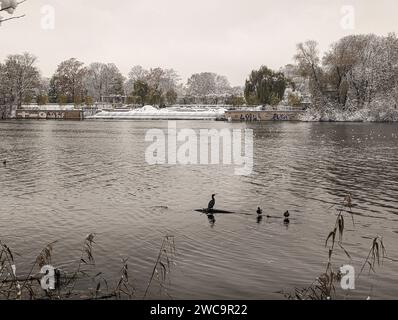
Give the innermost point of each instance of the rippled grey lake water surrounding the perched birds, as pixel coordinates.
(64, 180)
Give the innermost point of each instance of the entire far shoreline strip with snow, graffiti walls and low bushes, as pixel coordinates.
(203, 113)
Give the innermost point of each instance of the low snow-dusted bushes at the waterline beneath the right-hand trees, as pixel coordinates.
(363, 115)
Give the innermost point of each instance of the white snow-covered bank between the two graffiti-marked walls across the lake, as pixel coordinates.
(151, 113)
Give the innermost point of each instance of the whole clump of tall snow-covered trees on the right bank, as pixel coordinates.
(359, 72)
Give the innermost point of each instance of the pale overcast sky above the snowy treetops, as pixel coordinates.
(229, 37)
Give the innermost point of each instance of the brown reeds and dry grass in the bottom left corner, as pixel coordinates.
(28, 286)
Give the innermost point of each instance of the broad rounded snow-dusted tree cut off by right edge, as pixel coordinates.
(368, 69)
